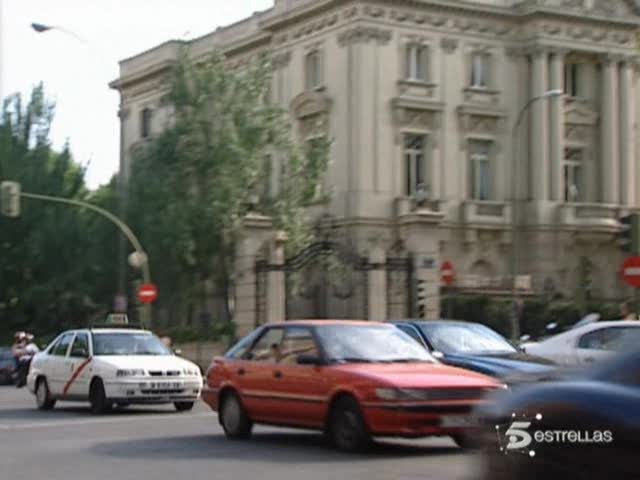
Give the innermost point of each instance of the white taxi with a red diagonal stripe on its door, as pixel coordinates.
(108, 366)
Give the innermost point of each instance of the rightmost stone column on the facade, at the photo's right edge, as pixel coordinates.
(627, 138)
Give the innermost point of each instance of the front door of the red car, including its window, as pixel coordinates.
(302, 390)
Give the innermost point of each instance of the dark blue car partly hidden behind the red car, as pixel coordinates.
(476, 347)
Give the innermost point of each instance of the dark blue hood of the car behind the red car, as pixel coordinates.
(503, 365)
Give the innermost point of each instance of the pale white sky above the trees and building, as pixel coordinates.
(77, 60)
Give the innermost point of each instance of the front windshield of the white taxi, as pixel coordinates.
(128, 344)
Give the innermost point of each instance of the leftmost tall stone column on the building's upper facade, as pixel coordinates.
(539, 136)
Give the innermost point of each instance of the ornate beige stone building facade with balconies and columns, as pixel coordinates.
(420, 99)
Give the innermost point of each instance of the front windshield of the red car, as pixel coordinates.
(369, 344)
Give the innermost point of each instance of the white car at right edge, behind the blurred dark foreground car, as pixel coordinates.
(588, 343)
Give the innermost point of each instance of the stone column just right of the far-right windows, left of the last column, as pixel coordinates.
(609, 139)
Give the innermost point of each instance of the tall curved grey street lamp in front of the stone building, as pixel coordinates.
(515, 314)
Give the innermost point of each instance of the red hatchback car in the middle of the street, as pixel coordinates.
(353, 380)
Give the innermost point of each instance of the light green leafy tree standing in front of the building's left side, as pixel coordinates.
(192, 185)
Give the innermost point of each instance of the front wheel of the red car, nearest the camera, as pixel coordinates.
(347, 428)
